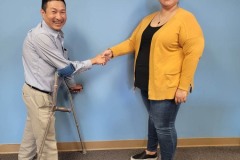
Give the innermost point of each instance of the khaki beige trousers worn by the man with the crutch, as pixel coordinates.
(39, 106)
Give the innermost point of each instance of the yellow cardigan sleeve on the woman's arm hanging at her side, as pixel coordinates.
(192, 41)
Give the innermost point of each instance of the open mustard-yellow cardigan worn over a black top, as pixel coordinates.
(174, 54)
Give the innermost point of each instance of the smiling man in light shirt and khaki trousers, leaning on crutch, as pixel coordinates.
(43, 55)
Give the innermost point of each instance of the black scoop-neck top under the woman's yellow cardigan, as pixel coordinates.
(142, 62)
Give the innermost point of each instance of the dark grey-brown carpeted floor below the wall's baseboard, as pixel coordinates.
(205, 153)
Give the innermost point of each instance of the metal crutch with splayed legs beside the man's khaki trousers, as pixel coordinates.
(61, 109)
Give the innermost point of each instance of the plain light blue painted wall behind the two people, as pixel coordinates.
(109, 108)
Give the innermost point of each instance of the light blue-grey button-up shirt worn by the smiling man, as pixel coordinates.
(44, 54)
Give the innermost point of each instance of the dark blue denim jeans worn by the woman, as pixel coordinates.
(161, 126)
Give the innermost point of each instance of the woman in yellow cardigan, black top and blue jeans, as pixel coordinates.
(167, 45)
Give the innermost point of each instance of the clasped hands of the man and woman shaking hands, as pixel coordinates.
(102, 58)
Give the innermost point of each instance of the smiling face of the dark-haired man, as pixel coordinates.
(55, 15)
